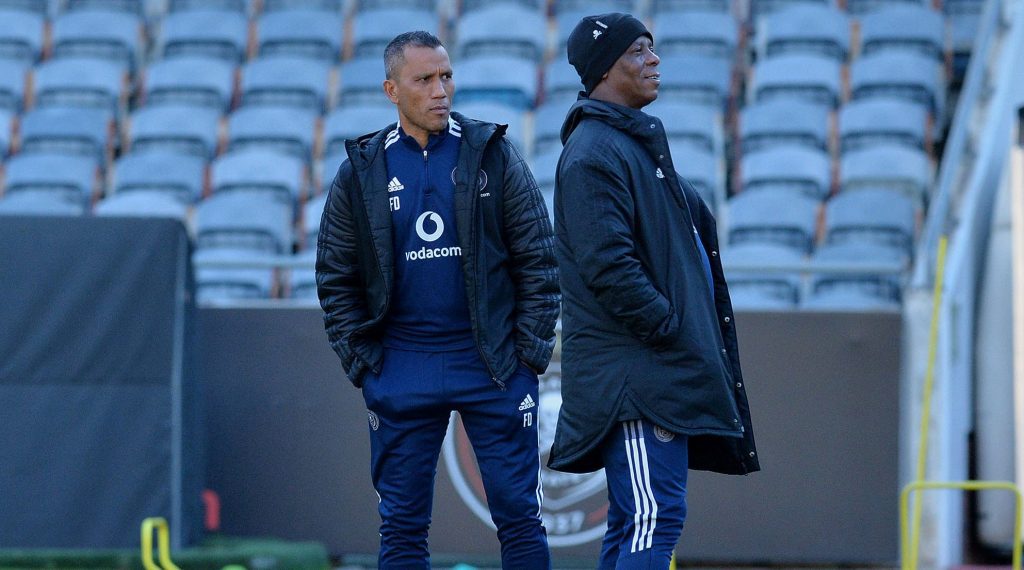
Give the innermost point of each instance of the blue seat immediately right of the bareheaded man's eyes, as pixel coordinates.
(511, 81)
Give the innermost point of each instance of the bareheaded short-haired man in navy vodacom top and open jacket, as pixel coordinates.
(436, 271)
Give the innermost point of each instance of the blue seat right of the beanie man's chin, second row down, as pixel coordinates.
(696, 79)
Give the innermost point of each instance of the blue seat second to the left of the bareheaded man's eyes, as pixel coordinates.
(286, 81)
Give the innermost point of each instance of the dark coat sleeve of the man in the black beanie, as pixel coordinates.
(599, 229)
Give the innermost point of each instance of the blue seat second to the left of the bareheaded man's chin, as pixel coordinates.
(283, 129)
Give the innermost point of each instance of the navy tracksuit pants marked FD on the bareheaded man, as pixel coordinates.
(410, 404)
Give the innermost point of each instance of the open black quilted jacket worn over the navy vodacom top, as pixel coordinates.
(506, 239)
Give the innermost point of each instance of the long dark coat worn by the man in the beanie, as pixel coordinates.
(641, 335)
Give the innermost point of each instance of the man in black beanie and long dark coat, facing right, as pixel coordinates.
(652, 384)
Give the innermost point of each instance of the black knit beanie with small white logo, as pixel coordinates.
(599, 41)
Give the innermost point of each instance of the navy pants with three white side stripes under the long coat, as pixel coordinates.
(647, 469)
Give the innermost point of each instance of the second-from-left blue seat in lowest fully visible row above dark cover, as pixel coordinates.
(178, 176)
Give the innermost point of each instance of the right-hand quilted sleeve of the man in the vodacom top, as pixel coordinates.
(534, 270)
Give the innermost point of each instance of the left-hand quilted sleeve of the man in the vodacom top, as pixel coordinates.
(339, 285)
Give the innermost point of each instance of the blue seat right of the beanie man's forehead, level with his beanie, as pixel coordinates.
(713, 34)
